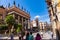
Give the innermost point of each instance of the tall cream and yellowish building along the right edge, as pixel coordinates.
(54, 13)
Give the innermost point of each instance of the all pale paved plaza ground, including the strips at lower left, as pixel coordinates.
(46, 36)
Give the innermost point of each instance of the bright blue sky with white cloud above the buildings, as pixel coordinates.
(37, 8)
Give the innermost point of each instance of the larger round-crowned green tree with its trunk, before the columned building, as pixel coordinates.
(10, 21)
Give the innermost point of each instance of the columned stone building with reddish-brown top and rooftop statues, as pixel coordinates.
(19, 15)
